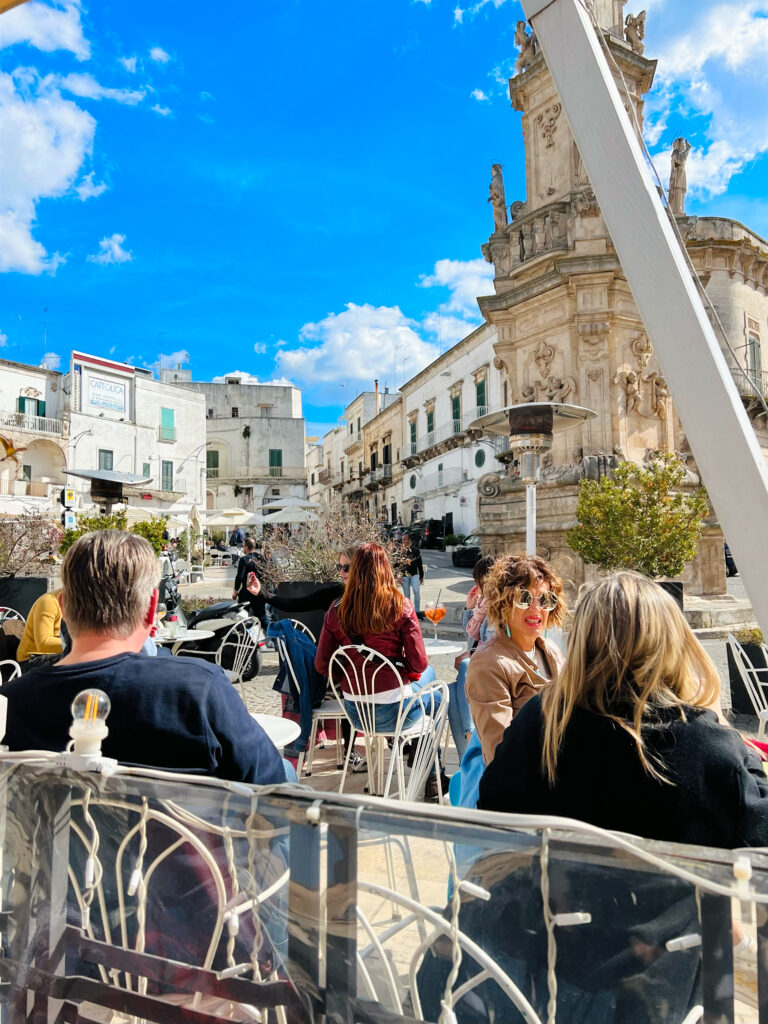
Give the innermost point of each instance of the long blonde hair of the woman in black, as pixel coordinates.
(630, 653)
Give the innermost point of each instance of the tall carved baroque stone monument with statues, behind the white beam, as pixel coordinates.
(568, 326)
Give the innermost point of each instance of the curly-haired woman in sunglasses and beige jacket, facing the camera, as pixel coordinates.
(525, 598)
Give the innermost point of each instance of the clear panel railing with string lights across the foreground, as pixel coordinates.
(173, 899)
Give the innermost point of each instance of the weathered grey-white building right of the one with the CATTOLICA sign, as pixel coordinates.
(257, 442)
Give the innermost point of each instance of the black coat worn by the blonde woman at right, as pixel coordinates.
(719, 797)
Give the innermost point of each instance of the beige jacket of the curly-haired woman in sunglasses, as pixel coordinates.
(500, 679)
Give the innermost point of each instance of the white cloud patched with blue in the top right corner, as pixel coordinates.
(711, 88)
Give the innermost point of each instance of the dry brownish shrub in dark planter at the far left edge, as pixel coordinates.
(28, 562)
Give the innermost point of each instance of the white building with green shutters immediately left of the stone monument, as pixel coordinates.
(443, 479)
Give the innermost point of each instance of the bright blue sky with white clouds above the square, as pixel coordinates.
(297, 189)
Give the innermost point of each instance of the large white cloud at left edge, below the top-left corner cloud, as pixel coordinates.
(45, 140)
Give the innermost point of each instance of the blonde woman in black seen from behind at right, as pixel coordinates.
(628, 738)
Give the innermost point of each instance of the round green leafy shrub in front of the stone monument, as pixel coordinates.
(641, 519)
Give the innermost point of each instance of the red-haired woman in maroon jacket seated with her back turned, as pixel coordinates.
(374, 613)
